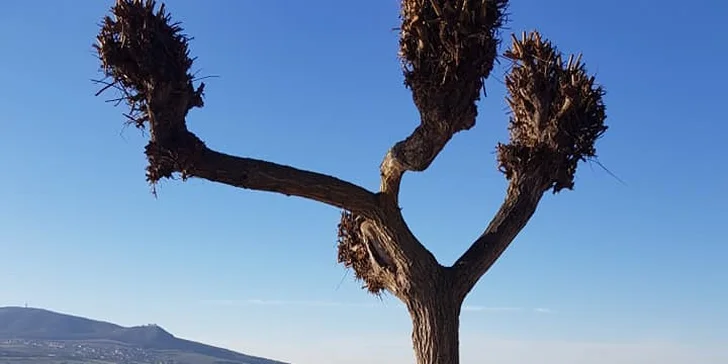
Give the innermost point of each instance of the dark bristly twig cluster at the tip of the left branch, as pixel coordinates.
(146, 55)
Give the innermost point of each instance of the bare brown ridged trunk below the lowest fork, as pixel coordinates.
(435, 327)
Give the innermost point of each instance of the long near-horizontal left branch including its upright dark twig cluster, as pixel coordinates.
(146, 55)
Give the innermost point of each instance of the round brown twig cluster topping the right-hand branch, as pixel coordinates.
(557, 114)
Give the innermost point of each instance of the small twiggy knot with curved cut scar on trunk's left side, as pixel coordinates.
(360, 249)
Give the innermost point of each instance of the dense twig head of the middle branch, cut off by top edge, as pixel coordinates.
(447, 49)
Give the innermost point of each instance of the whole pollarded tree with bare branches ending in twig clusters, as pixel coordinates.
(447, 48)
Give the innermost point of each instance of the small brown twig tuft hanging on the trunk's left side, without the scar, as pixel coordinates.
(354, 253)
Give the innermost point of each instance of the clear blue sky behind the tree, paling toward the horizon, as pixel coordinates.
(607, 273)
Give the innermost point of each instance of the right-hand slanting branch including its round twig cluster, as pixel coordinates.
(557, 116)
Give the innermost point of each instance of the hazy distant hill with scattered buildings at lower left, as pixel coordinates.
(42, 336)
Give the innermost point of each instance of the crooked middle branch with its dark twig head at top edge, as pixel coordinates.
(447, 50)
